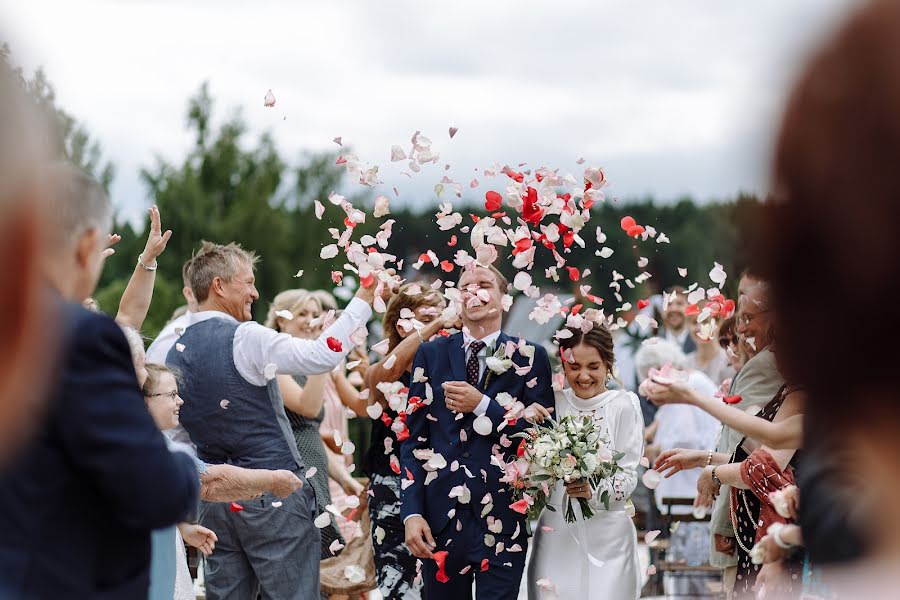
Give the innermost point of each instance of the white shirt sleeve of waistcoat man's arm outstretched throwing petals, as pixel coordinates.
(256, 346)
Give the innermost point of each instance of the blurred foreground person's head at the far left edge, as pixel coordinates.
(27, 318)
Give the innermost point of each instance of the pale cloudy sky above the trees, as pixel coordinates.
(672, 97)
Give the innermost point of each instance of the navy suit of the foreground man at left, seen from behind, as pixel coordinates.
(78, 502)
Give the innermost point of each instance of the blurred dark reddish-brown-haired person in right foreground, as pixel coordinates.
(835, 252)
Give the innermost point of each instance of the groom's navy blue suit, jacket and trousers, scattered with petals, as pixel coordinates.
(436, 427)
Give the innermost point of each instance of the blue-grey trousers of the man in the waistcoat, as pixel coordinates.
(265, 549)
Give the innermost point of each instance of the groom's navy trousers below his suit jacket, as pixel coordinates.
(466, 547)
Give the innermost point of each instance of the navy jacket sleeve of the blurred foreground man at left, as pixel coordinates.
(111, 437)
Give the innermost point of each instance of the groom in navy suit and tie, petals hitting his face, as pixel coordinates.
(457, 513)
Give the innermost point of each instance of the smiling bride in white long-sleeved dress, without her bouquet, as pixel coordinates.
(594, 558)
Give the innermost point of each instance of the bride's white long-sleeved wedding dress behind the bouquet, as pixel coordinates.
(594, 558)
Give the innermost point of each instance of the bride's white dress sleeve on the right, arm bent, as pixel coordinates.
(626, 428)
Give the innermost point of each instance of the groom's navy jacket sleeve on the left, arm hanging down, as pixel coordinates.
(413, 497)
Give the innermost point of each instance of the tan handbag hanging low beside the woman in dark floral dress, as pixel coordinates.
(358, 552)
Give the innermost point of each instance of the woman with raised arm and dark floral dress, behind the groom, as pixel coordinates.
(412, 317)
